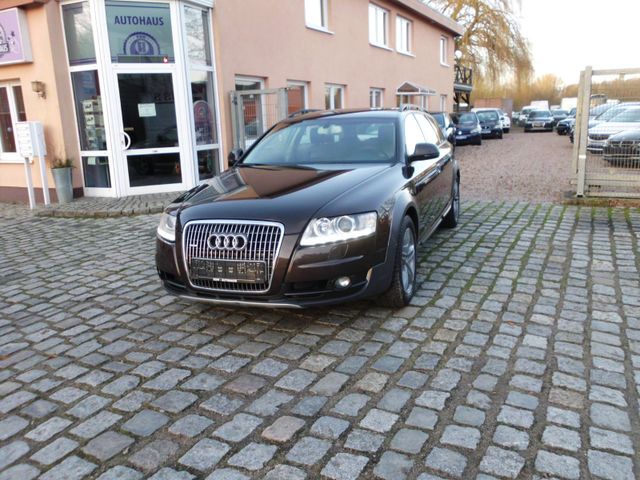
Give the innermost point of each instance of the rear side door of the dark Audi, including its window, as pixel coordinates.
(444, 163)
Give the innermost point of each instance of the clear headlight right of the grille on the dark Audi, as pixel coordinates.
(339, 229)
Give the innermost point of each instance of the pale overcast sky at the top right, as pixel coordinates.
(567, 35)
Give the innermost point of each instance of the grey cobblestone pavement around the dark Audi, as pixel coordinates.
(520, 358)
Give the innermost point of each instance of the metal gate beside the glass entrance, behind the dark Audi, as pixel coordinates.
(253, 112)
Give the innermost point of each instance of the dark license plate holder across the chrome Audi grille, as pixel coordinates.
(233, 271)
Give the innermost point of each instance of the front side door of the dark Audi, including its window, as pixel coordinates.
(425, 173)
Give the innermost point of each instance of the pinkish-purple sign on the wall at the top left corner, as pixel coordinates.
(14, 37)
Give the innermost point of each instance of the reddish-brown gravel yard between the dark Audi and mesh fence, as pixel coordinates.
(535, 167)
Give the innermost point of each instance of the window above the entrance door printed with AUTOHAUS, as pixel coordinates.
(139, 32)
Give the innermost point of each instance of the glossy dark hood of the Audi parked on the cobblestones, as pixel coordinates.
(290, 195)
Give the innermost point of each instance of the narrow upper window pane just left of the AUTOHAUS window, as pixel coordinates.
(78, 33)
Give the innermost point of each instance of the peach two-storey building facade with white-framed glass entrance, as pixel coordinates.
(142, 94)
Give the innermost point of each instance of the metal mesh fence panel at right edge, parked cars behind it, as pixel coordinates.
(606, 155)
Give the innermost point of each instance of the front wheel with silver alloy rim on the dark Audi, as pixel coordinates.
(403, 282)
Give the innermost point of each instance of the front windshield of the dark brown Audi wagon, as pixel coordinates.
(327, 140)
